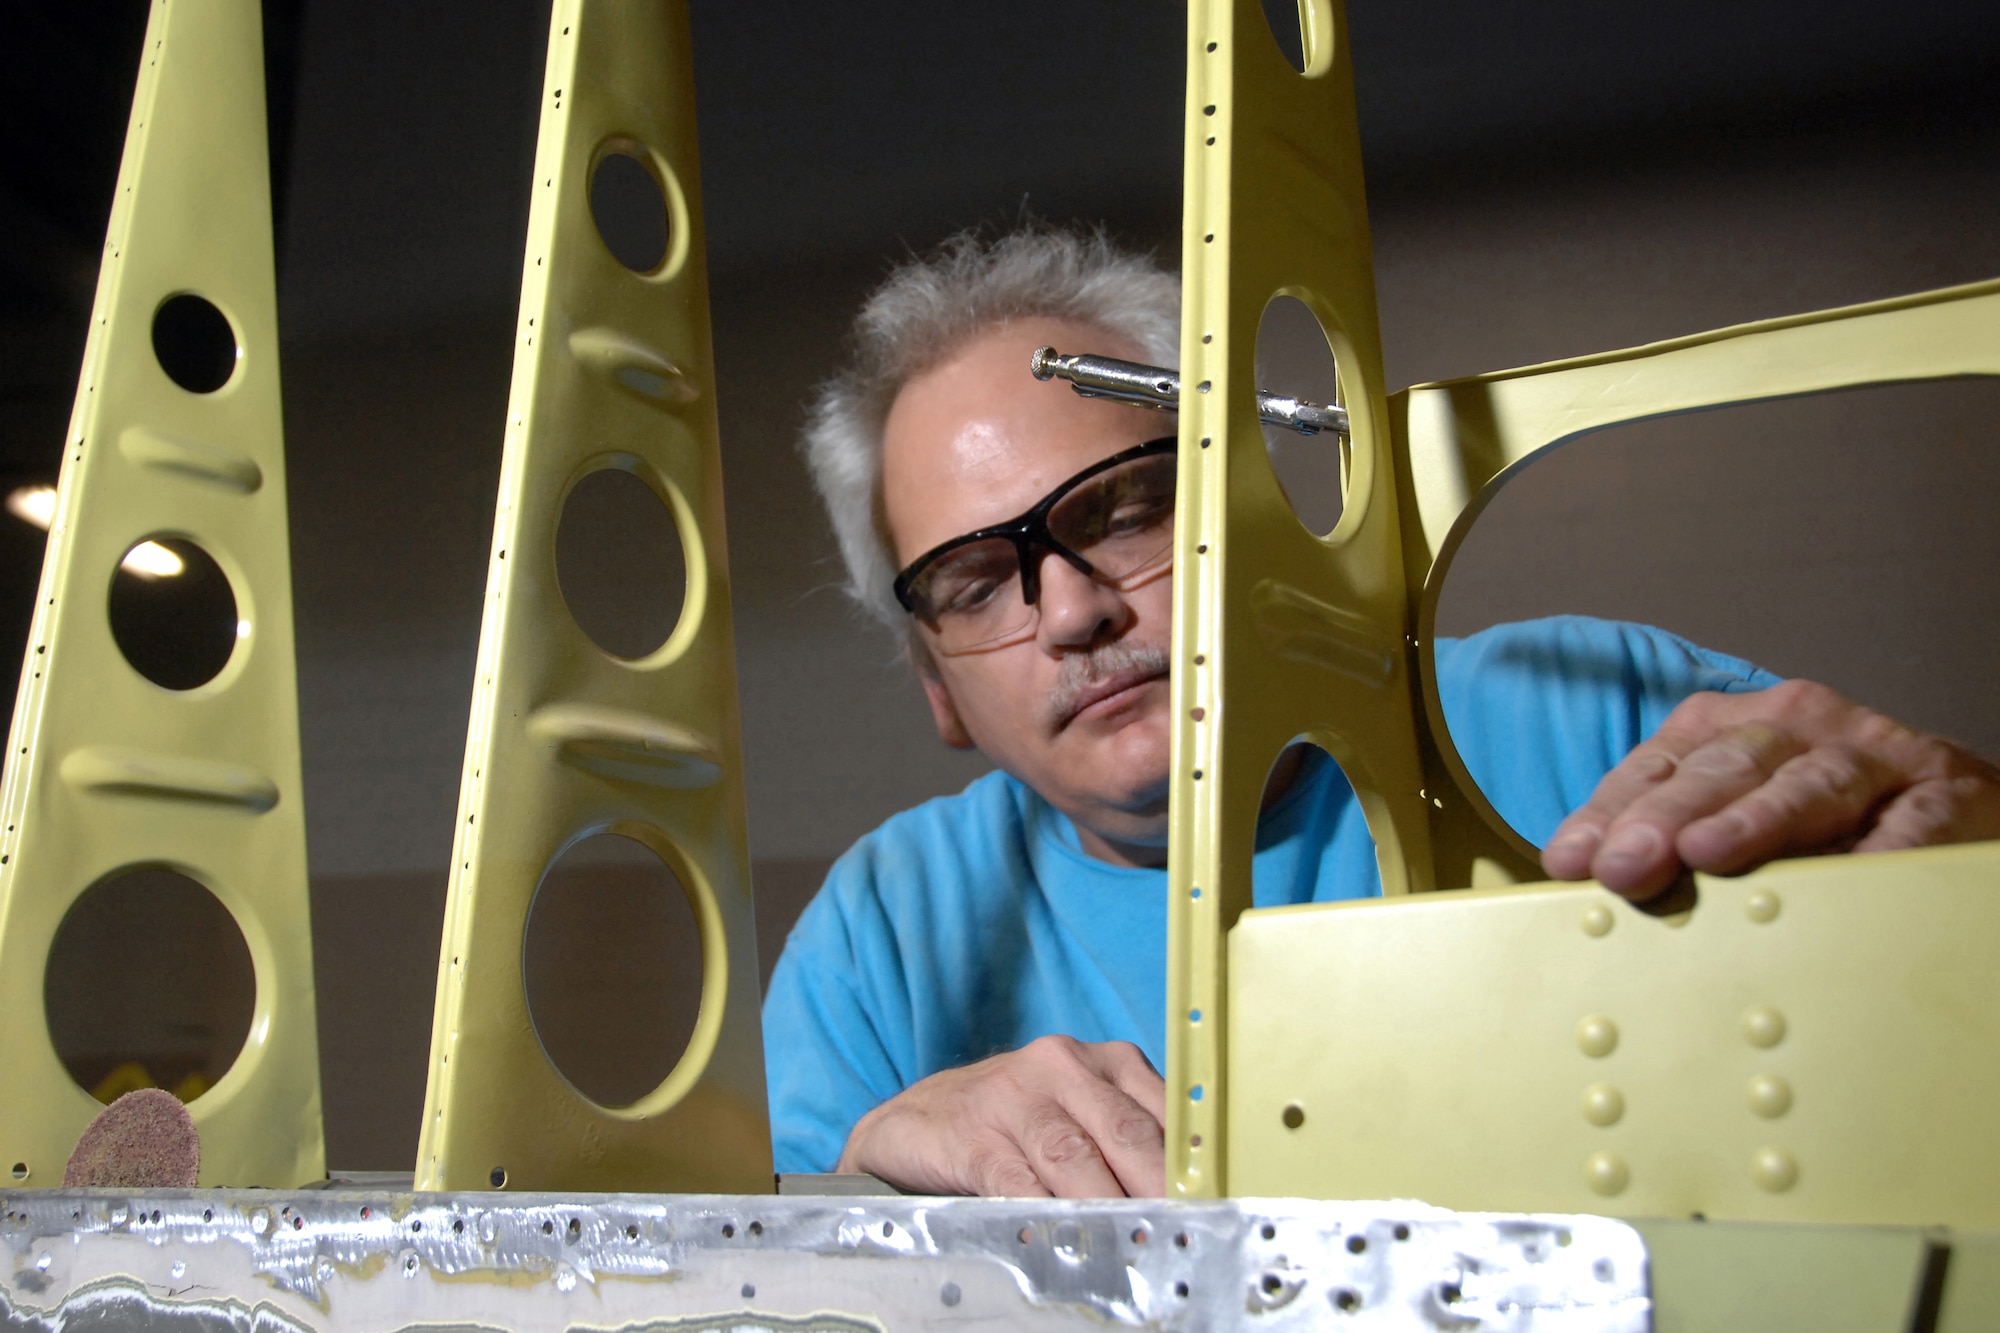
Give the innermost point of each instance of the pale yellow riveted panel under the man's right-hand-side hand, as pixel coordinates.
(1815, 1042)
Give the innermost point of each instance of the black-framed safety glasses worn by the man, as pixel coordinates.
(1111, 521)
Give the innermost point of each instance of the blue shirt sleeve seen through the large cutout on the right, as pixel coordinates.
(1543, 710)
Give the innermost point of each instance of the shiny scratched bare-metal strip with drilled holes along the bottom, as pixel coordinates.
(377, 1262)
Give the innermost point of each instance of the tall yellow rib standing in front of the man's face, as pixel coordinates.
(1277, 633)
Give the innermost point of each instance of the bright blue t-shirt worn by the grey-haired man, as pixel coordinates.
(977, 924)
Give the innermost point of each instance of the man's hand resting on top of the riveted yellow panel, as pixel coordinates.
(1733, 782)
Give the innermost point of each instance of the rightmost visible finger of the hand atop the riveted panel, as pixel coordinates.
(1815, 802)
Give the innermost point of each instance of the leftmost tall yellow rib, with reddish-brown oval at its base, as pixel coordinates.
(105, 770)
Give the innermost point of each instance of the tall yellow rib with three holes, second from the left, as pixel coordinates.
(611, 369)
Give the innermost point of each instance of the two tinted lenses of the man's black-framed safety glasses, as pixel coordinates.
(1119, 521)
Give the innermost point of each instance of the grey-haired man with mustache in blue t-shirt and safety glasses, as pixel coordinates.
(971, 1002)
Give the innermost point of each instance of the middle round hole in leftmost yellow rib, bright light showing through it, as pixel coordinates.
(175, 613)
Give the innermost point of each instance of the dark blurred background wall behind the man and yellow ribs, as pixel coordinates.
(1547, 179)
